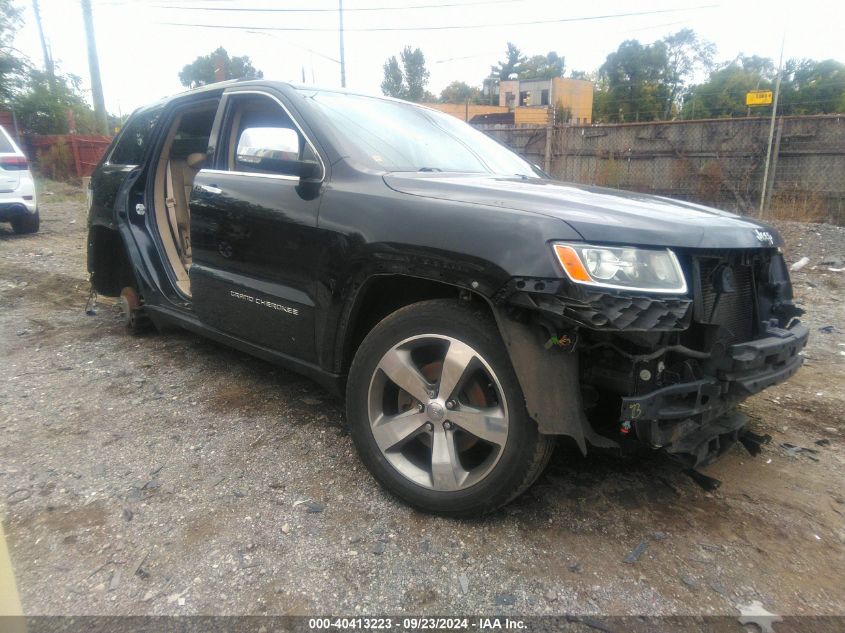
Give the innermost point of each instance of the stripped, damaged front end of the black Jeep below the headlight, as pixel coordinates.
(659, 370)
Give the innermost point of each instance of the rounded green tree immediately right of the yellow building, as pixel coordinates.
(633, 79)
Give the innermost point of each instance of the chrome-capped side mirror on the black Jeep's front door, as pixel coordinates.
(275, 150)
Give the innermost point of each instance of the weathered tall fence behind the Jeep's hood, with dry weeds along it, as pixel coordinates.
(719, 162)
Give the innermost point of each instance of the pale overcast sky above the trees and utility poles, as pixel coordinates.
(141, 55)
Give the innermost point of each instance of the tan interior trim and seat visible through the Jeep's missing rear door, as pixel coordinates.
(174, 180)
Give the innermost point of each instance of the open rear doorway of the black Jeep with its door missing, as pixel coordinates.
(182, 156)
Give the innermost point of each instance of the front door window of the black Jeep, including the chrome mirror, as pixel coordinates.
(263, 139)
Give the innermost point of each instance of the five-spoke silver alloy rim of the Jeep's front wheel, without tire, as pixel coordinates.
(438, 412)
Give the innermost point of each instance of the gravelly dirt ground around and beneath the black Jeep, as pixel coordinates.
(169, 475)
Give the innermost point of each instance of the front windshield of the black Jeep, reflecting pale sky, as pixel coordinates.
(396, 136)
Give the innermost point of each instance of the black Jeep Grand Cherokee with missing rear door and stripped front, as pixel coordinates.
(470, 307)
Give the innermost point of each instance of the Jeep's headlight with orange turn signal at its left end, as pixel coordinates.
(626, 268)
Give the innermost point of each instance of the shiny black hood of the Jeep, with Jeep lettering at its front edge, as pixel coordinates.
(598, 214)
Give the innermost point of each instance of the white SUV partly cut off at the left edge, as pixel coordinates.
(18, 203)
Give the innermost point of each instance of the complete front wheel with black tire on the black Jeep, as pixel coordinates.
(437, 414)
